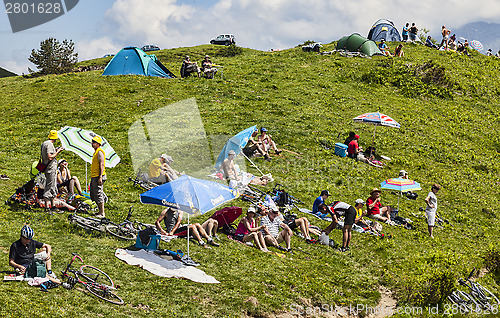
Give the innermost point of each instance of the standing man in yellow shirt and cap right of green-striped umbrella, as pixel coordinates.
(98, 175)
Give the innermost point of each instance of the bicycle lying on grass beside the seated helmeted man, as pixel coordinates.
(97, 282)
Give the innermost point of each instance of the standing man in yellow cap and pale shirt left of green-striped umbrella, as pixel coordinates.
(48, 155)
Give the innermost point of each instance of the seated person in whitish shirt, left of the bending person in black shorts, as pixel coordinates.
(272, 234)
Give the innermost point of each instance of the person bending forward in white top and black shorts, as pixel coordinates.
(337, 209)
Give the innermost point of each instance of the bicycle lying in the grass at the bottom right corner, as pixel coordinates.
(478, 299)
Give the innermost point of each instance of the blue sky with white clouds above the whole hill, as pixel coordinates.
(99, 27)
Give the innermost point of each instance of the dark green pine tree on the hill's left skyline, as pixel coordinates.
(54, 57)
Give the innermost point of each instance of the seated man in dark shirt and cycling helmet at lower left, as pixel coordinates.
(23, 256)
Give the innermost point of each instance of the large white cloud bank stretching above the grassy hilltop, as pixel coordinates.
(265, 24)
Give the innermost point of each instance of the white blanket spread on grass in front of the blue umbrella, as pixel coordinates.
(161, 267)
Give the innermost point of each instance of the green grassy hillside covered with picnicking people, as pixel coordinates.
(449, 113)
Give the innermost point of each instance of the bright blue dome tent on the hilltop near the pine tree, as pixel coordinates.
(134, 61)
